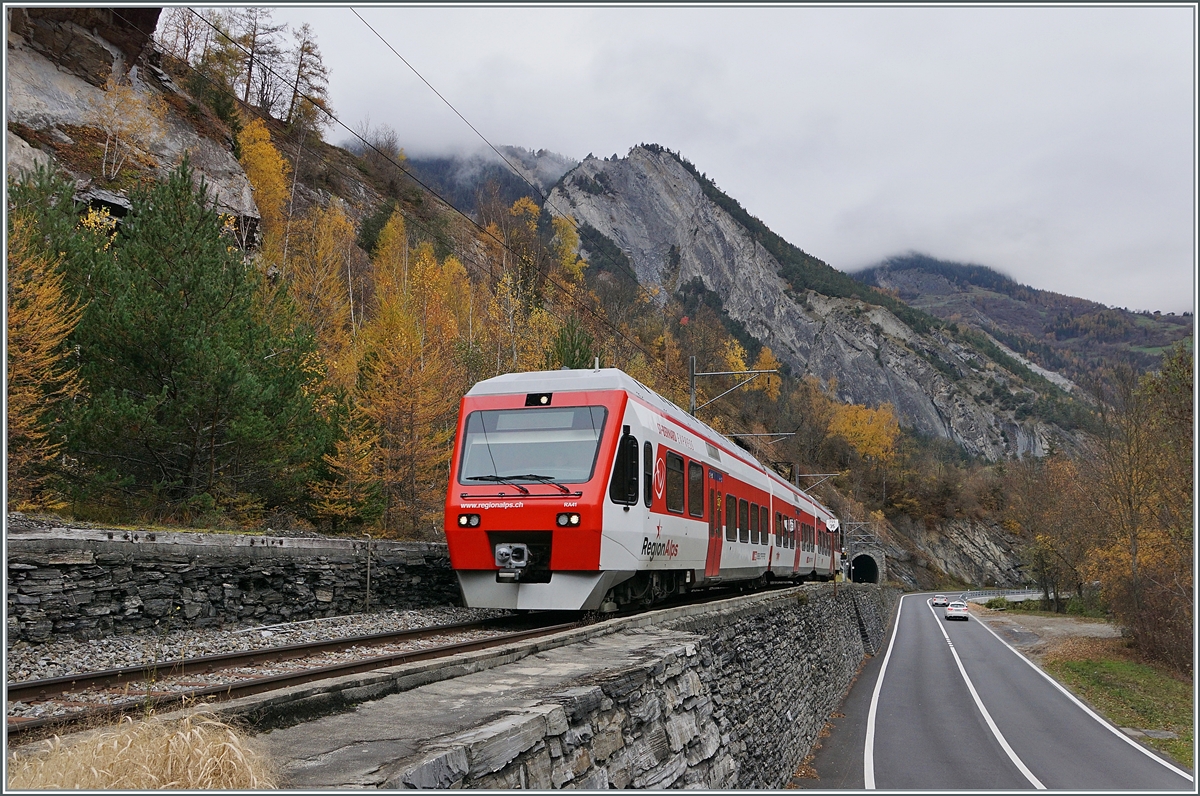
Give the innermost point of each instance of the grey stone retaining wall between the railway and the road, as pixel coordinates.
(728, 699)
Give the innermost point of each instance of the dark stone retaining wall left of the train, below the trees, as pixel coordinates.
(92, 584)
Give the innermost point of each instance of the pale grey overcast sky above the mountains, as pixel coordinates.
(1054, 145)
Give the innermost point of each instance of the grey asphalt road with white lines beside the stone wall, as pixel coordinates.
(950, 707)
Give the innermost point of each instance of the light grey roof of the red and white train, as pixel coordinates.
(614, 379)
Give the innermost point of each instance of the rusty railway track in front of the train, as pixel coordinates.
(158, 686)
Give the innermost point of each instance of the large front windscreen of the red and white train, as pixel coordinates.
(531, 446)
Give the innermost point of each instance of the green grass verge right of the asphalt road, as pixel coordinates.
(1129, 692)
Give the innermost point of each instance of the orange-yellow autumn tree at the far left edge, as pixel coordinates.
(40, 373)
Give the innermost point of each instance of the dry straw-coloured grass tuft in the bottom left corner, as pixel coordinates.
(196, 753)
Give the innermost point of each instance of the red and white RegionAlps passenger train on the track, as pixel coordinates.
(587, 490)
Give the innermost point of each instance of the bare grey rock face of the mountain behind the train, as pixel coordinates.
(658, 214)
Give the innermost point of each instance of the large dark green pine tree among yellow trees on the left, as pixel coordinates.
(194, 399)
